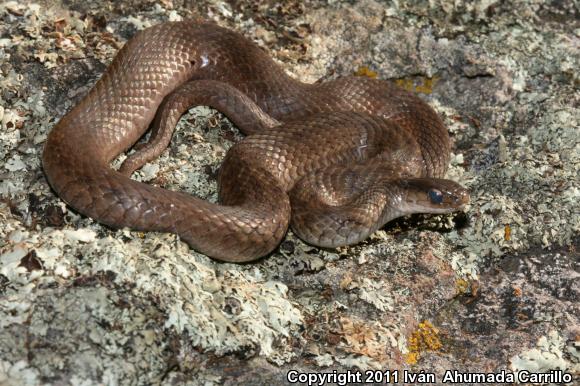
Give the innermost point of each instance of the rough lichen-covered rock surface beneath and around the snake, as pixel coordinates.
(496, 288)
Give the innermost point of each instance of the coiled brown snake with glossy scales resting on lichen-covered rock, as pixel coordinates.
(335, 160)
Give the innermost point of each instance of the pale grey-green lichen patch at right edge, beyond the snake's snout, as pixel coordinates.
(538, 201)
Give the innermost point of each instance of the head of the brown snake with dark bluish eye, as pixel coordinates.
(432, 195)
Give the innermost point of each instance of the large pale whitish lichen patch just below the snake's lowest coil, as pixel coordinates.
(194, 298)
